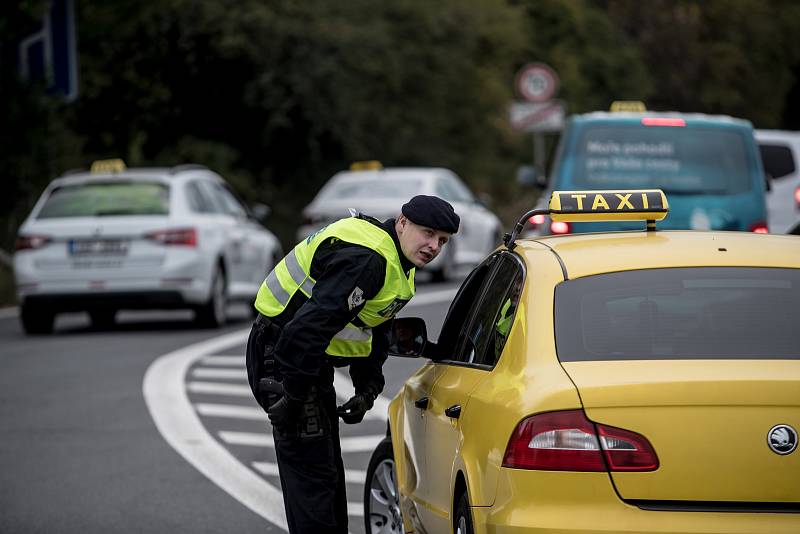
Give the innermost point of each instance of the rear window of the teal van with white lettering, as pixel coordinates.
(678, 160)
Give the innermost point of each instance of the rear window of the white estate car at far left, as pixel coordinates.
(107, 198)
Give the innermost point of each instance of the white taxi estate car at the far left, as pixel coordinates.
(149, 238)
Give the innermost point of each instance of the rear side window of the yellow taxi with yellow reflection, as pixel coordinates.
(488, 331)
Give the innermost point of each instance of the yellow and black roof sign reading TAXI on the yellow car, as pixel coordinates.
(648, 205)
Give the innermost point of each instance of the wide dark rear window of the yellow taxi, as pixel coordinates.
(681, 313)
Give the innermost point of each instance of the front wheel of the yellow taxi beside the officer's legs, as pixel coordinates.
(381, 500)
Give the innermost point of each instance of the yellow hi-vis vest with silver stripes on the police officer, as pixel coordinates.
(292, 274)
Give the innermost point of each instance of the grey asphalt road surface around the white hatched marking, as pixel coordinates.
(81, 450)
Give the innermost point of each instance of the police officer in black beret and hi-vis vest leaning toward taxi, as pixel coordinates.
(328, 304)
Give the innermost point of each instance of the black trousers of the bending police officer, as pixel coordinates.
(310, 464)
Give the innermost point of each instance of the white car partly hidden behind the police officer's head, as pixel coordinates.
(381, 192)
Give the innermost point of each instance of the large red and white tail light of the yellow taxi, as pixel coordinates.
(568, 441)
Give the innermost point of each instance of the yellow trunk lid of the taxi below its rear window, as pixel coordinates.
(709, 422)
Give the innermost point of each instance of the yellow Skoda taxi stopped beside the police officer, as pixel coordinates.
(644, 381)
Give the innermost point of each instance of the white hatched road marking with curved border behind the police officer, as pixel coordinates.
(166, 387)
